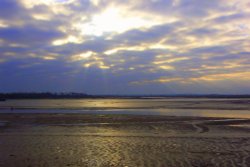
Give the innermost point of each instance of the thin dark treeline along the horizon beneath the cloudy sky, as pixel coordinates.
(49, 95)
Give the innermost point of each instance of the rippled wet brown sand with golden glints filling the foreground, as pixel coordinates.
(118, 140)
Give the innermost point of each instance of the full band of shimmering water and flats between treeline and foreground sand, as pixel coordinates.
(231, 108)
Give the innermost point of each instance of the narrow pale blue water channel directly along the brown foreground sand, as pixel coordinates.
(165, 112)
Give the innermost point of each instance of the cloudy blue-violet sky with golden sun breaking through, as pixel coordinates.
(125, 46)
